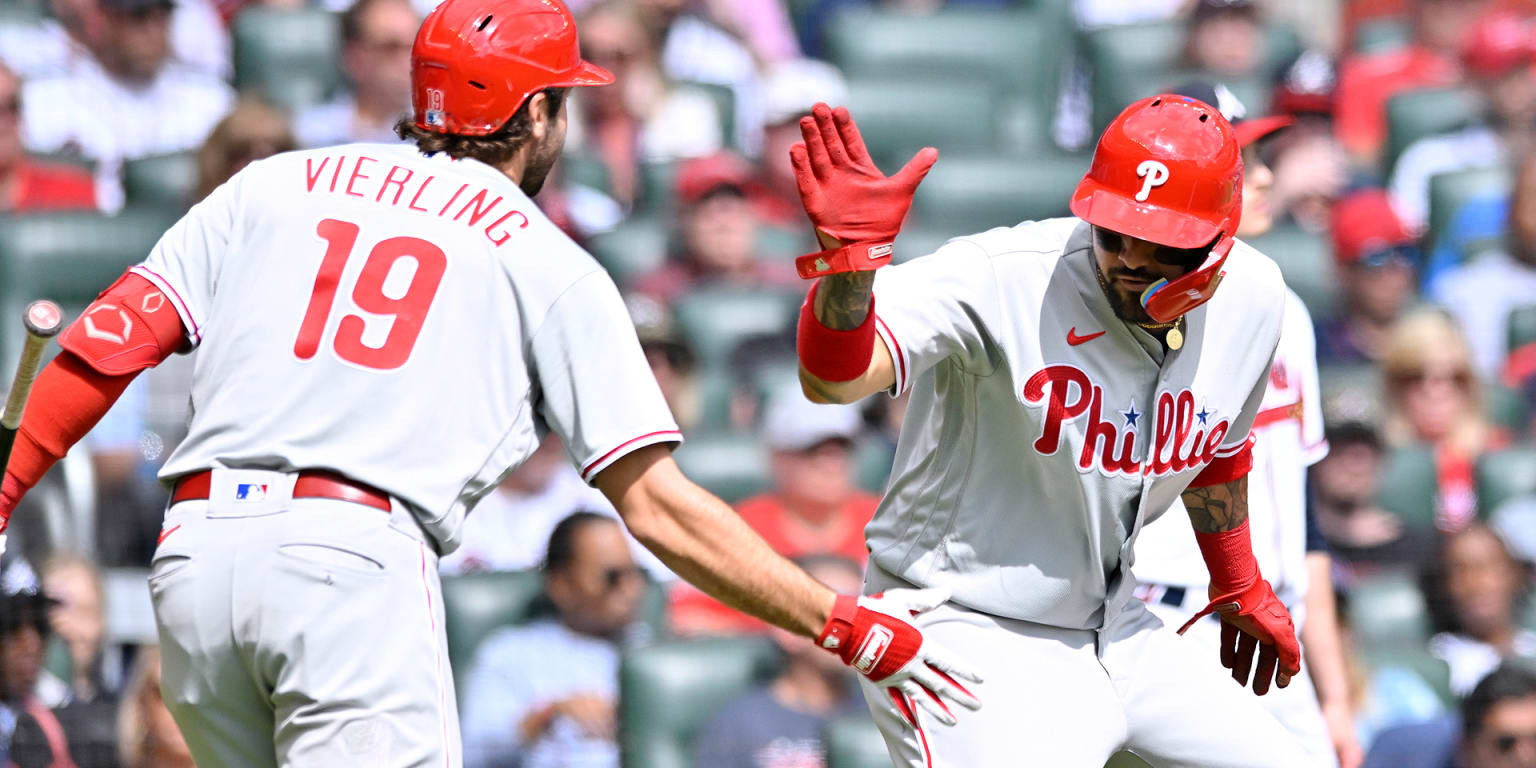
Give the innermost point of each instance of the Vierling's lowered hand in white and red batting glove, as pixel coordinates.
(876, 637)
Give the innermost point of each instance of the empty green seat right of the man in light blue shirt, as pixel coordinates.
(669, 690)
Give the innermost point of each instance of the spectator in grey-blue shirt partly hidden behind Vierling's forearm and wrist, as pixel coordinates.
(780, 726)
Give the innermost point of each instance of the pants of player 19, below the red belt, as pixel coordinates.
(302, 632)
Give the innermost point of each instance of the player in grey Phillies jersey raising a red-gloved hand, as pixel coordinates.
(1070, 380)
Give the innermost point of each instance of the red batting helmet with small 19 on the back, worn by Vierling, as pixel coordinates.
(477, 62)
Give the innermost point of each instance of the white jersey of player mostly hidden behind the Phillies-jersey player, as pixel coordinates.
(1288, 440)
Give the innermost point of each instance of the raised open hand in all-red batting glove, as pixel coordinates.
(847, 197)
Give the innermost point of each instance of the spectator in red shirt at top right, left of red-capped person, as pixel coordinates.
(1369, 81)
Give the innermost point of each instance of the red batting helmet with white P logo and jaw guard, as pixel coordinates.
(1168, 171)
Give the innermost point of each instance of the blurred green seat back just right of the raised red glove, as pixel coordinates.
(955, 116)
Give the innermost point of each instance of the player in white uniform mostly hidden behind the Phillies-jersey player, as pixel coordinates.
(1288, 440)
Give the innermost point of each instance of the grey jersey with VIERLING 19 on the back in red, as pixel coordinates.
(414, 323)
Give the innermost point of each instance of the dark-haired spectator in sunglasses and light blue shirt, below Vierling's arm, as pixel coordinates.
(563, 710)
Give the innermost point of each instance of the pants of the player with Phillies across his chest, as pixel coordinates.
(1071, 698)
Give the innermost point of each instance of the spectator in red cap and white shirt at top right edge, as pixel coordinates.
(1498, 61)
